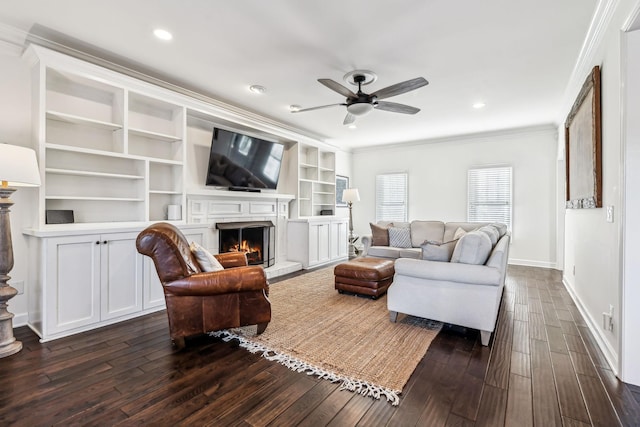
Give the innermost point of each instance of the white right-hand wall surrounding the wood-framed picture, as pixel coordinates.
(591, 244)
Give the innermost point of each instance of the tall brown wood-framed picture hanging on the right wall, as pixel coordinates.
(583, 147)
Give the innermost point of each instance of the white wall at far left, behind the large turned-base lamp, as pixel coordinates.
(15, 128)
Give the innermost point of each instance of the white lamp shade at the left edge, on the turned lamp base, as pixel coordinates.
(18, 166)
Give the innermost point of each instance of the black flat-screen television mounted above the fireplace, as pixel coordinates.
(242, 162)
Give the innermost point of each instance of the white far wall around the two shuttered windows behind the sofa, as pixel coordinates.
(438, 183)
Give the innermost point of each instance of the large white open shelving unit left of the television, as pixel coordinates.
(107, 151)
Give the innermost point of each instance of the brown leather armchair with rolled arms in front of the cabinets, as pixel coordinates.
(200, 302)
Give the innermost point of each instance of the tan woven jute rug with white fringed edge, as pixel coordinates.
(338, 337)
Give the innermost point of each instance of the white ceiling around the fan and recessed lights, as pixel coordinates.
(516, 56)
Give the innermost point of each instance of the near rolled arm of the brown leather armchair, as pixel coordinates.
(243, 279)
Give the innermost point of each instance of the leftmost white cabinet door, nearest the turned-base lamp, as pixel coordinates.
(72, 287)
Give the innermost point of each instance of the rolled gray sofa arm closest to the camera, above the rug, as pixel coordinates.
(449, 271)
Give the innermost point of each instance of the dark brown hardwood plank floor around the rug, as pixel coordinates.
(542, 368)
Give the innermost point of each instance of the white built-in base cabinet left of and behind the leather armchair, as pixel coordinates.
(92, 280)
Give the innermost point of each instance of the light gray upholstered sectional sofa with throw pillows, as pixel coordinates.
(452, 272)
